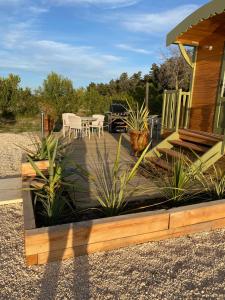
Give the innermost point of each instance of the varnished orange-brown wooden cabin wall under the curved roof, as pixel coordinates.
(207, 78)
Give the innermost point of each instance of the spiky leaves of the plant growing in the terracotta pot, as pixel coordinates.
(137, 119)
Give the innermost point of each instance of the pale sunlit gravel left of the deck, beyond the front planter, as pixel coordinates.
(10, 153)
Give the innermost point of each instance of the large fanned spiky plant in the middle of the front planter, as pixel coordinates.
(112, 183)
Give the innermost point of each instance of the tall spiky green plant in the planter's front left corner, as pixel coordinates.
(52, 190)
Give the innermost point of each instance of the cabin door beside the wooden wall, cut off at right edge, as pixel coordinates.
(220, 107)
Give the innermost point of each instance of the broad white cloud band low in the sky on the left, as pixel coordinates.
(23, 50)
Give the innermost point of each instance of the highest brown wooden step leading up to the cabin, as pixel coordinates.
(197, 137)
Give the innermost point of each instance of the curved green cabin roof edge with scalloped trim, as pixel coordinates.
(205, 12)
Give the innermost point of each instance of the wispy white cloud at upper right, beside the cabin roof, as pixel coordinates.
(153, 23)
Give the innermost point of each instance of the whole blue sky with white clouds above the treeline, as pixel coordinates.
(85, 40)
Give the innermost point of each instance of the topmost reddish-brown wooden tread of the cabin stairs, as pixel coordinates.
(204, 136)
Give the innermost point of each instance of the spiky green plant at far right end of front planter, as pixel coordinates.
(213, 182)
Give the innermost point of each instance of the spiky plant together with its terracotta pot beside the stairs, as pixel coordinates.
(137, 123)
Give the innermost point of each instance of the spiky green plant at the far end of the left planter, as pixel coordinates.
(40, 148)
